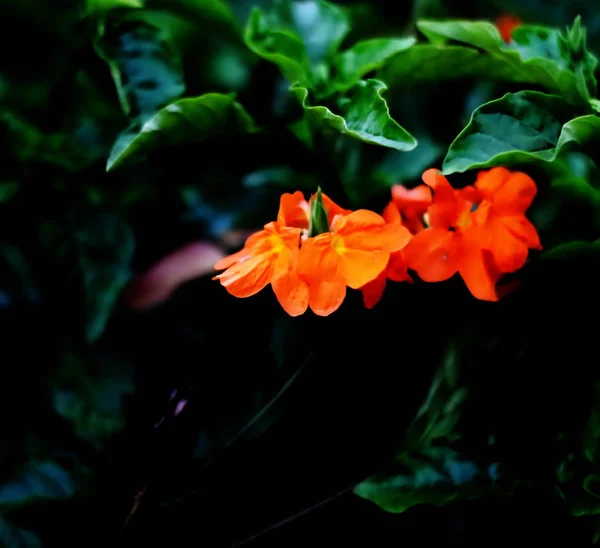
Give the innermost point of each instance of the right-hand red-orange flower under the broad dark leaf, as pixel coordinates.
(479, 232)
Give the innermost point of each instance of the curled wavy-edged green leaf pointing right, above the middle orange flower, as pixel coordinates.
(362, 113)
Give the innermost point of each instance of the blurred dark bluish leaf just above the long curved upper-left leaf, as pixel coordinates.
(145, 66)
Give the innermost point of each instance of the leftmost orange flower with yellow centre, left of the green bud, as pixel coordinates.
(269, 257)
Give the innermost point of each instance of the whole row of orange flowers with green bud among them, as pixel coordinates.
(316, 249)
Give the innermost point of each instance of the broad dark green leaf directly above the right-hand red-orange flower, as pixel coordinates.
(519, 128)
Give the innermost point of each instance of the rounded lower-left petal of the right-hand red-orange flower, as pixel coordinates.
(434, 254)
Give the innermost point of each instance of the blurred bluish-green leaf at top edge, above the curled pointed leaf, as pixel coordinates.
(297, 37)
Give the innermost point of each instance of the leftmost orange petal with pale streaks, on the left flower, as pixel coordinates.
(248, 277)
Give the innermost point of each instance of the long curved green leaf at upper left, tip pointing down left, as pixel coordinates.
(187, 120)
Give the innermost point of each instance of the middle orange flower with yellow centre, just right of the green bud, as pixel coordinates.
(355, 252)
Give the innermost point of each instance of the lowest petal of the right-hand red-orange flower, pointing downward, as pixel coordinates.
(478, 272)
